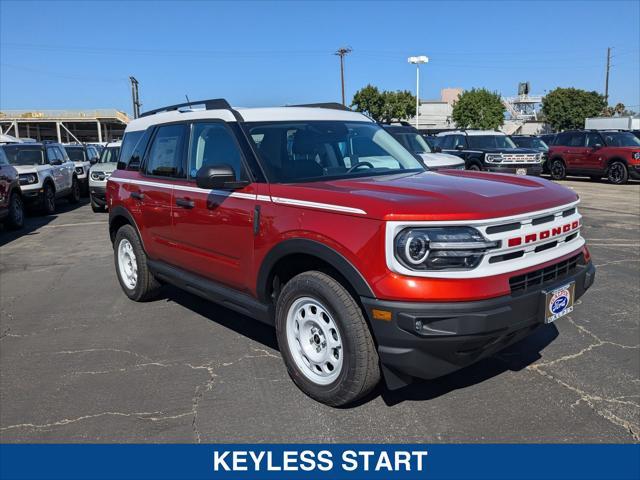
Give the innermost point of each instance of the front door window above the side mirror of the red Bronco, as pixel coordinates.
(213, 144)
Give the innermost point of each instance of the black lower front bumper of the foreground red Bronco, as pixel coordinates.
(456, 334)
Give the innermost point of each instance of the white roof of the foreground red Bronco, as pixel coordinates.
(249, 115)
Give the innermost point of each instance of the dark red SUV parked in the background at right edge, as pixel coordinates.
(611, 153)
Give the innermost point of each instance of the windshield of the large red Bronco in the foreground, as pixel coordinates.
(318, 150)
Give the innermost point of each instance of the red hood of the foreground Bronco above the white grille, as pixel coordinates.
(441, 196)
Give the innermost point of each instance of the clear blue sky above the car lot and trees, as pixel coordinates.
(79, 55)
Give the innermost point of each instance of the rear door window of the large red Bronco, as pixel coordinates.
(166, 153)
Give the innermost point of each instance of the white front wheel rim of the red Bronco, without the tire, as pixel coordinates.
(314, 341)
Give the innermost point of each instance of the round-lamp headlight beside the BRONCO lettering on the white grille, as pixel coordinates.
(441, 248)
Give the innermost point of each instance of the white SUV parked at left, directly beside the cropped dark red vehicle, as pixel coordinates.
(46, 173)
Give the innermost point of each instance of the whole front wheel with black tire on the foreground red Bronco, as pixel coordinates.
(325, 341)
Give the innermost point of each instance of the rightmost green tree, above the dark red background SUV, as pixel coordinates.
(566, 108)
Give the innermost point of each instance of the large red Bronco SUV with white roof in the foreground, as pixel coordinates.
(314, 219)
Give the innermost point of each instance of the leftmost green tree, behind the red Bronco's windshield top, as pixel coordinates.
(384, 106)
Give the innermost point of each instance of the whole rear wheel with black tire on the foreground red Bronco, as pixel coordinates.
(137, 282)
